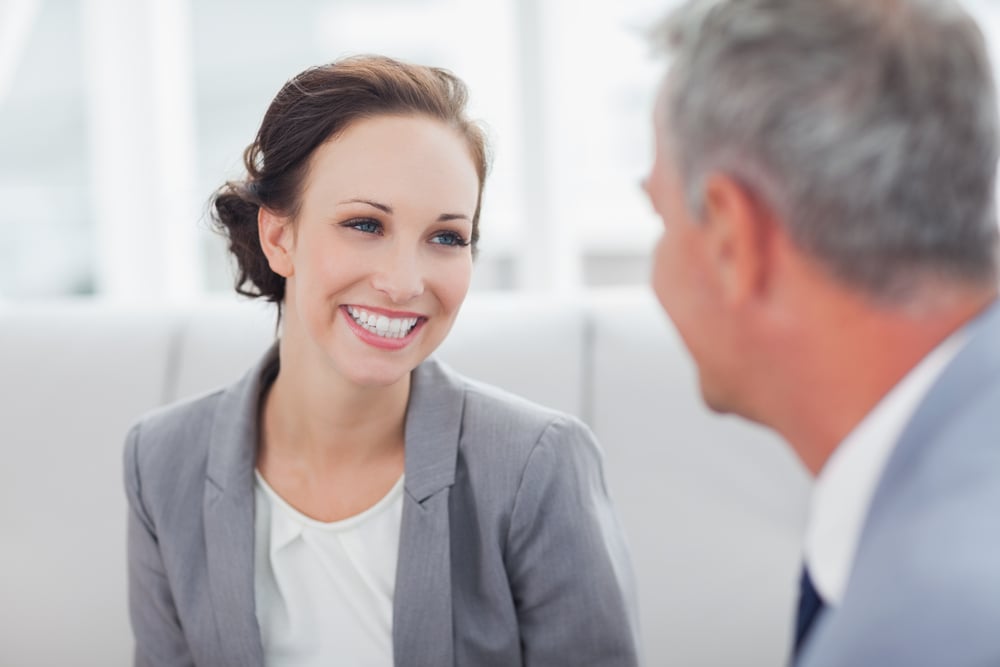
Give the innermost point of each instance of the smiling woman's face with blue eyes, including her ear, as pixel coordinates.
(378, 259)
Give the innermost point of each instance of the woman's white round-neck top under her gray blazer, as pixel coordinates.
(324, 591)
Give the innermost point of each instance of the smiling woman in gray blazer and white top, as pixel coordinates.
(351, 500)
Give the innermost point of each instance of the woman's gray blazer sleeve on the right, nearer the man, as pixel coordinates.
(567, 561)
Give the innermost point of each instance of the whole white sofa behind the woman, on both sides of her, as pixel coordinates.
(712, 506)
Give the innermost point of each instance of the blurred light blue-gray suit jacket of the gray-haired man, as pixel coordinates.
(925, 587)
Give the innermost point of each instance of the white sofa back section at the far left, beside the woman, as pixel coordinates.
(75, 375)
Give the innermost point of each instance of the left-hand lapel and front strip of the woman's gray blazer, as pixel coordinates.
(229, 518)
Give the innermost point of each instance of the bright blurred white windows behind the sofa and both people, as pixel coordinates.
(118, 118)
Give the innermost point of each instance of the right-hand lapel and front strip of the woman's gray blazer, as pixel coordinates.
(422, 610)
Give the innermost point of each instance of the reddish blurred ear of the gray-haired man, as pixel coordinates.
(739, 227)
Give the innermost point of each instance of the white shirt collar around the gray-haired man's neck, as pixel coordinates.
(845, 486)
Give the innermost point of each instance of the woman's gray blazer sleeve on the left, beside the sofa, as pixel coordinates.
(159, 638)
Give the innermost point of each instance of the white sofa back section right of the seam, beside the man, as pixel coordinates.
(713, 506)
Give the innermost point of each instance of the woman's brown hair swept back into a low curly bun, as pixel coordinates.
(311, 108)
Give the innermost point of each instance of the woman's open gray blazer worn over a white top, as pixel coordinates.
(510, 553)
